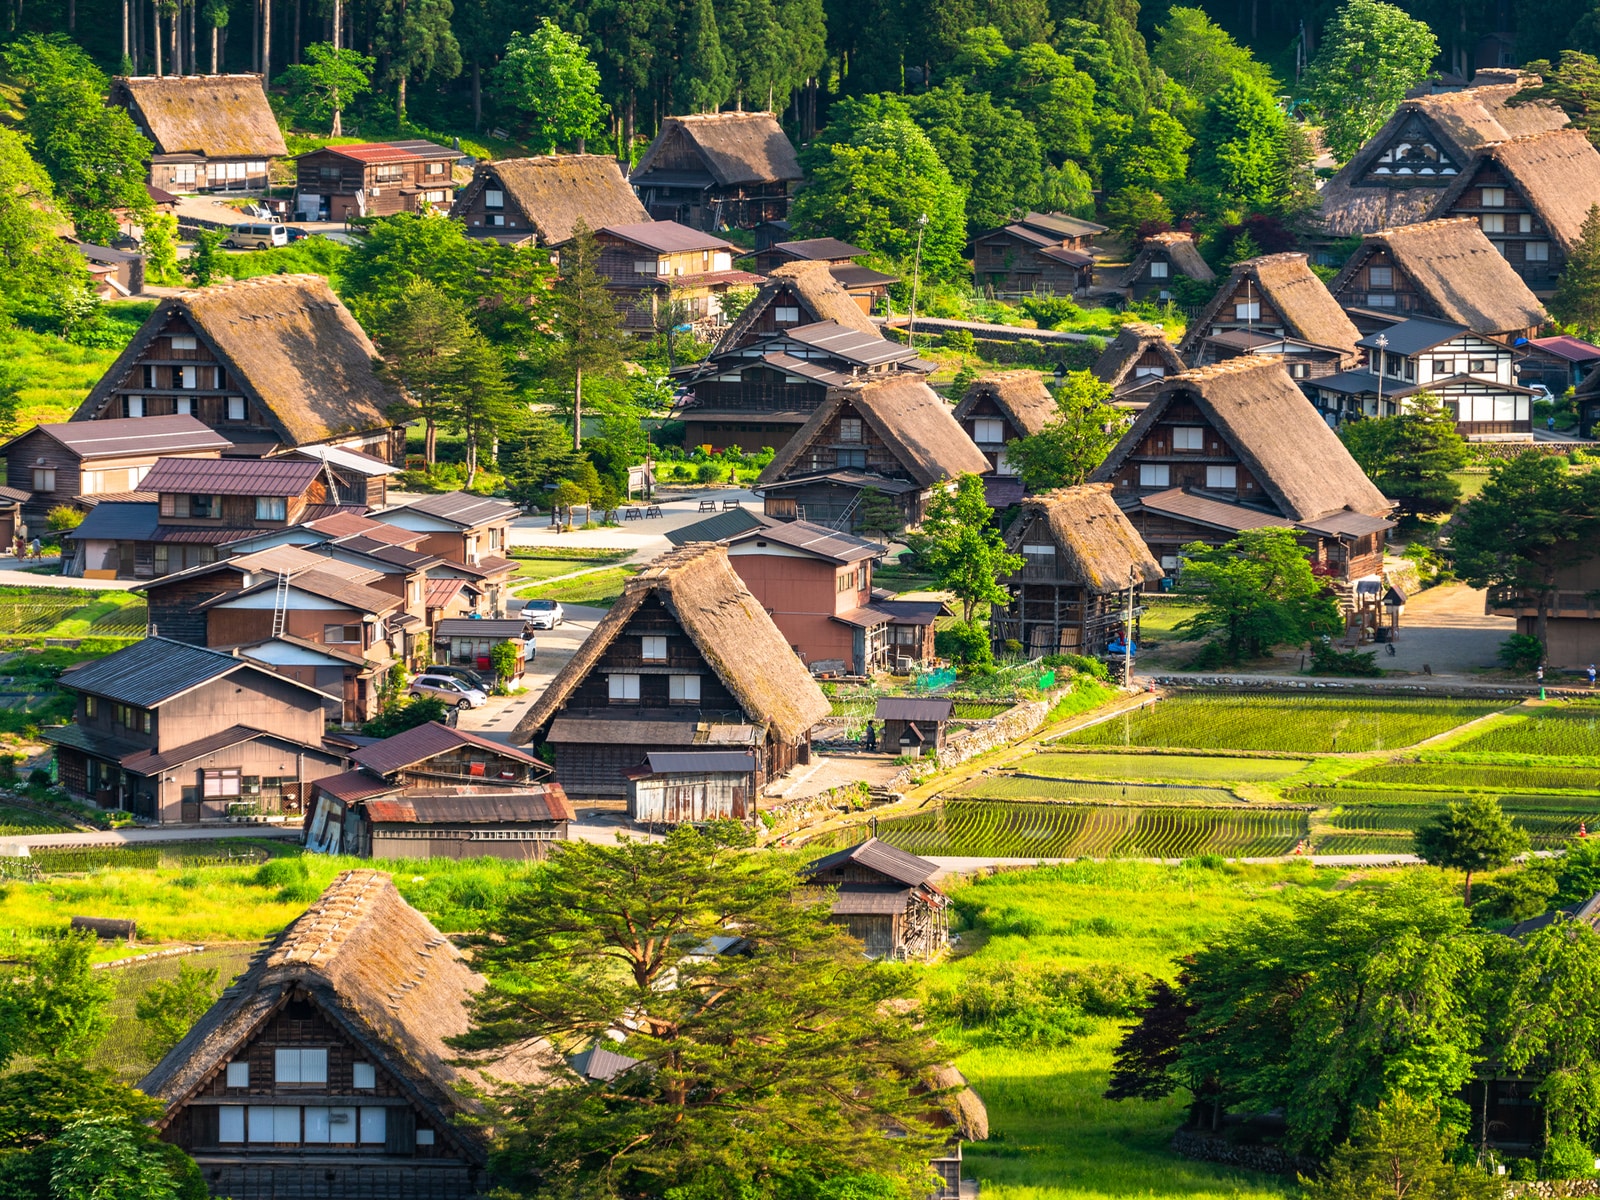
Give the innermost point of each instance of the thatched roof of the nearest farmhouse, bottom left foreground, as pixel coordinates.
(382, 974)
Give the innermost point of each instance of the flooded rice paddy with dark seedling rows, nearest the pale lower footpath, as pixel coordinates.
(1073, 831)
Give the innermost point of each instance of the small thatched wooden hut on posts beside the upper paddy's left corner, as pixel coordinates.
(1081, 558)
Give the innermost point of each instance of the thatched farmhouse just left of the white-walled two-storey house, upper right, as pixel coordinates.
(1279, 297)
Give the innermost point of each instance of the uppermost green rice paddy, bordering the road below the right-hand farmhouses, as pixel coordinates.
(1298, 724)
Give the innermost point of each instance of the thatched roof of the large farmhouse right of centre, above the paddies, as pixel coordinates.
(1274, 430)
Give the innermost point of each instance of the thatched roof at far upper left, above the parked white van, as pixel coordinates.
(217, 116)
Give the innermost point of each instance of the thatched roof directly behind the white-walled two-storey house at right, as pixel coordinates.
(1458, 273)
